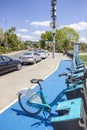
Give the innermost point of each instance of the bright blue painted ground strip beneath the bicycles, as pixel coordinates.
(15, 118)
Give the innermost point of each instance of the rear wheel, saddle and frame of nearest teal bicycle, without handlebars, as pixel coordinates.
(34, 102)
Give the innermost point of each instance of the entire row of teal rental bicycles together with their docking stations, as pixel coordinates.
(71, 113)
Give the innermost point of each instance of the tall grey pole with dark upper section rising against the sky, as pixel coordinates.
(53, 24)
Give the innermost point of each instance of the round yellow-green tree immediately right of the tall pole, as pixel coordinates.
(65, 36)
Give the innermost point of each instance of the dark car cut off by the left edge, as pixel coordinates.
(8, 64)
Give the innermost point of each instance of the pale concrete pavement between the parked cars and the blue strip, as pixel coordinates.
(12, 82)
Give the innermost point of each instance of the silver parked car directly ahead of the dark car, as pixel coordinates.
(30, 57)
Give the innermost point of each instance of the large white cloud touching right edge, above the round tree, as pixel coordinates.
(78, 26)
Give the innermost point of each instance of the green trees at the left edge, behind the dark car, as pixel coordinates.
(10, 39)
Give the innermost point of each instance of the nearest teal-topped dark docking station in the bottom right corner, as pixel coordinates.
(71, 116)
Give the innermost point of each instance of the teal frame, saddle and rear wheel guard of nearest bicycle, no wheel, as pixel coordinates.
(38, 100)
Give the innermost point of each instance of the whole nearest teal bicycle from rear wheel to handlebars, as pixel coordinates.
(34, 102)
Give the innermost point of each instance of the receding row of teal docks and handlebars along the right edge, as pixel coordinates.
(72, 113)
